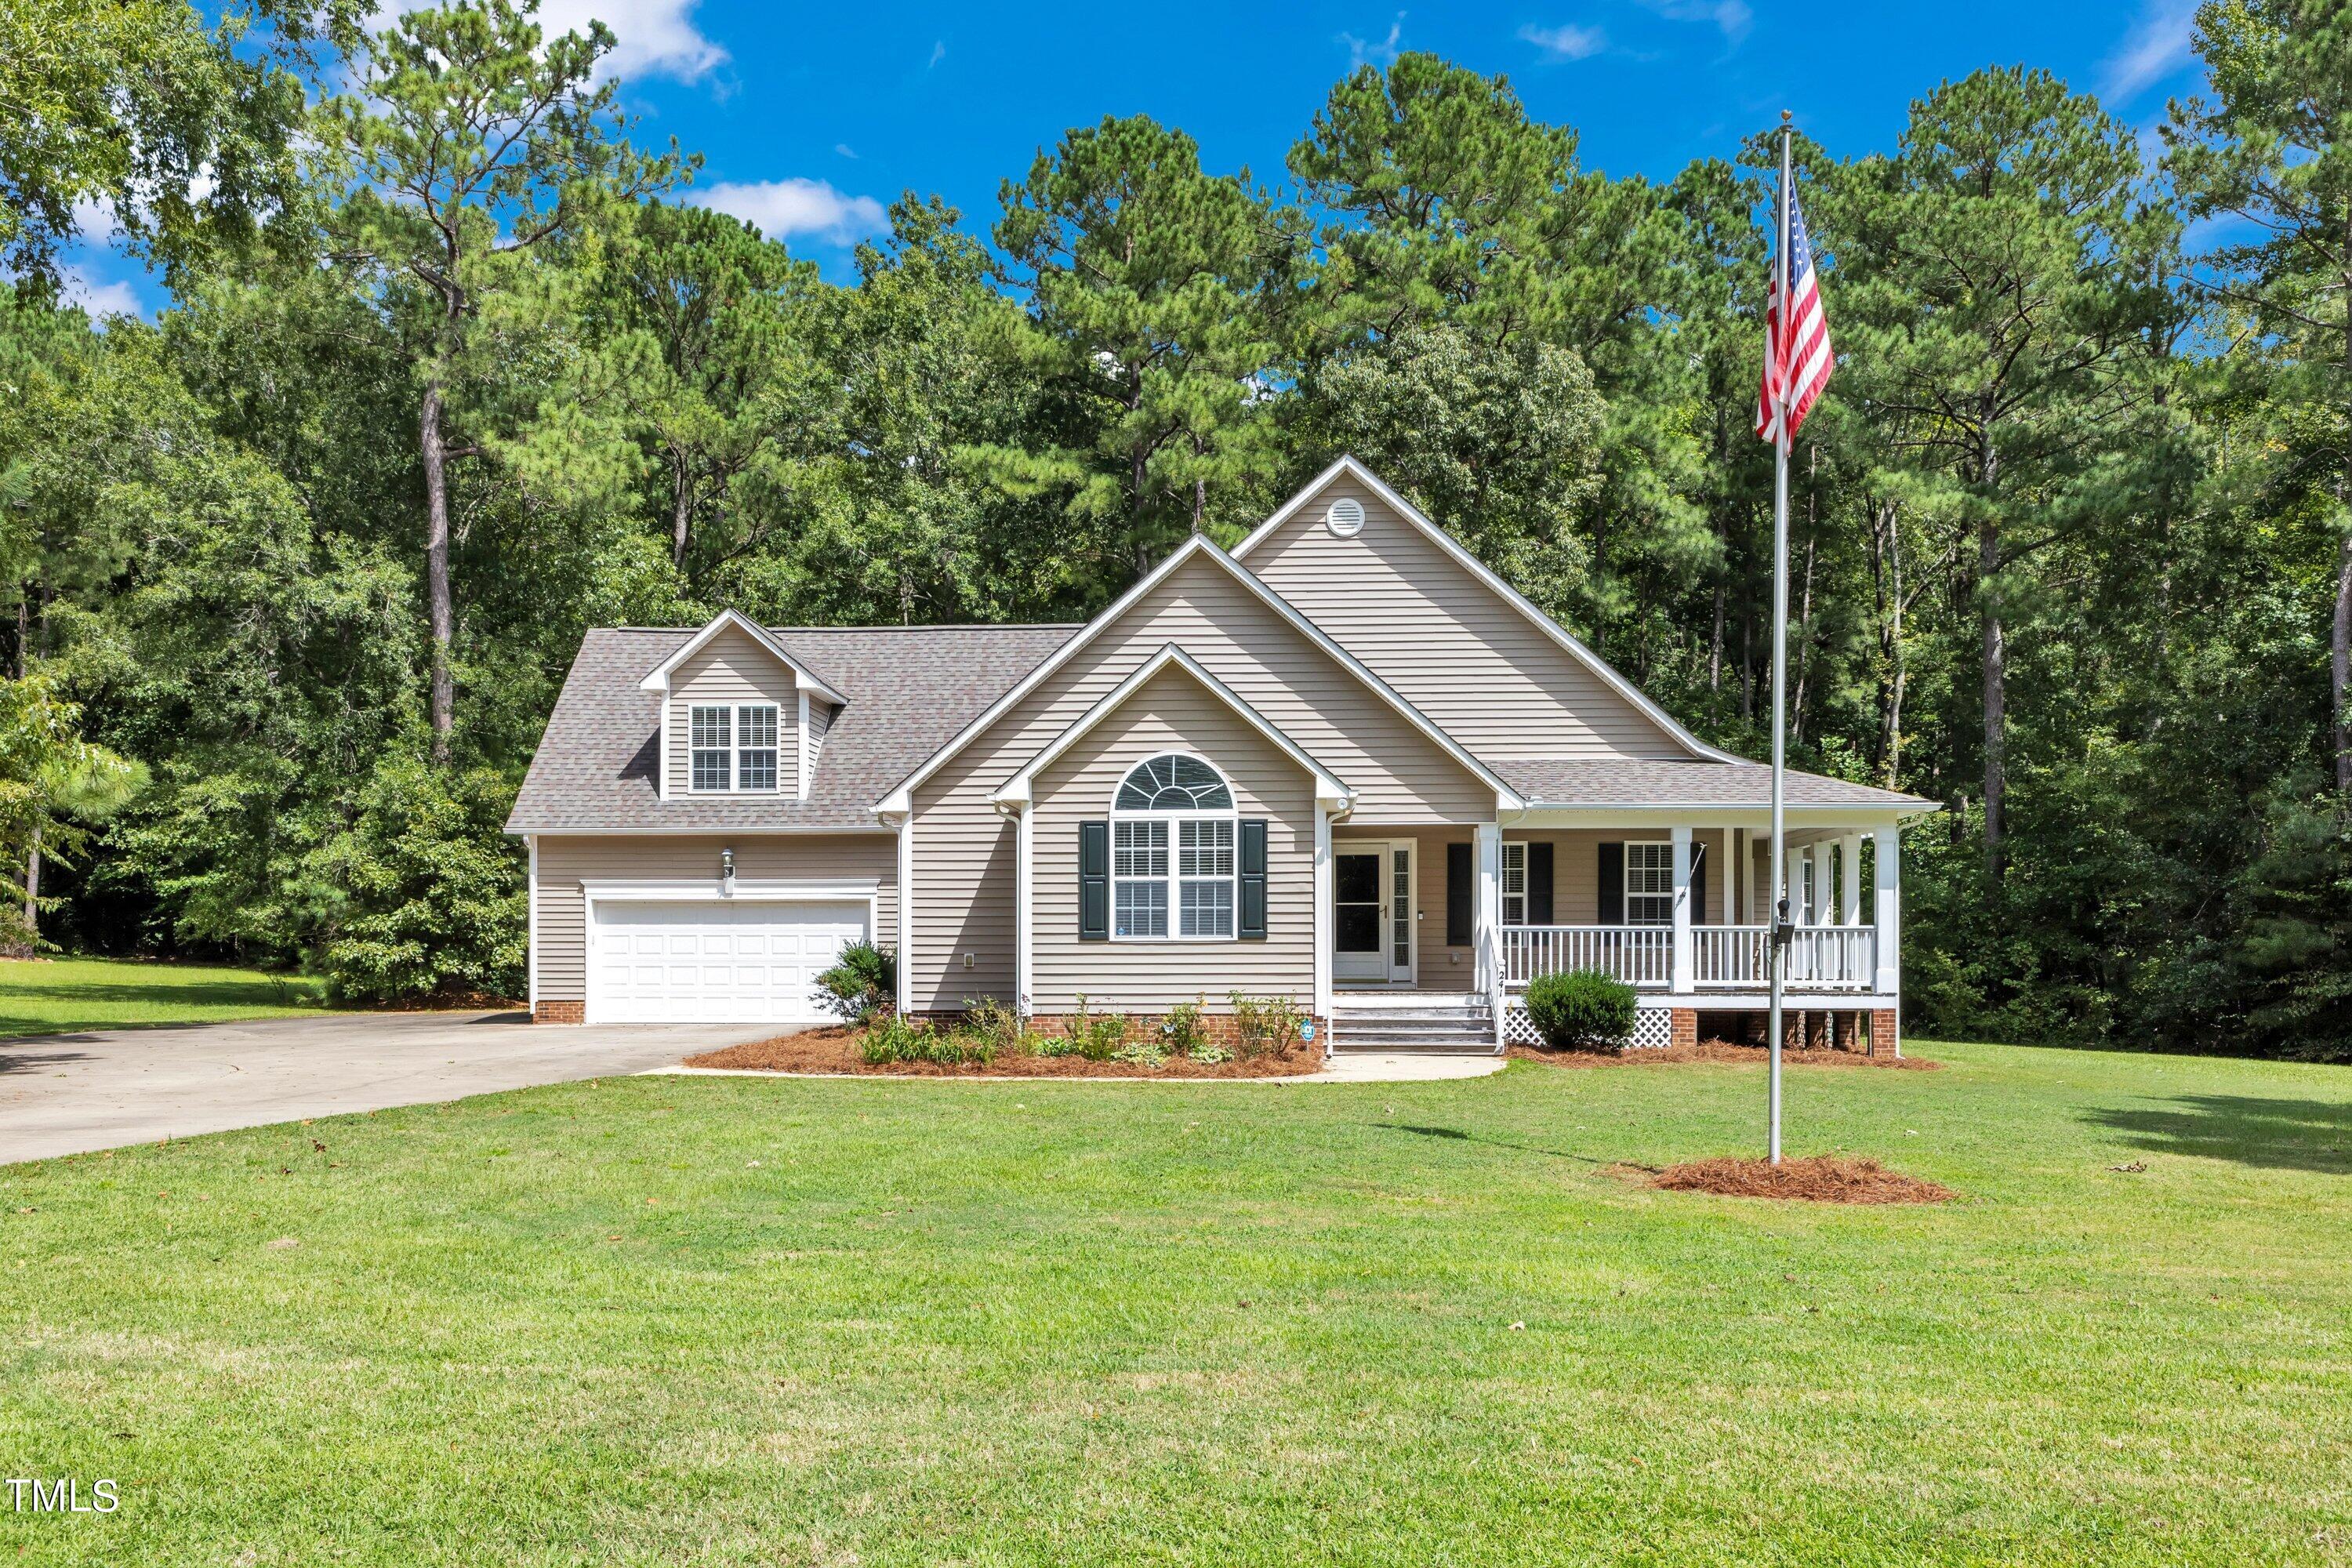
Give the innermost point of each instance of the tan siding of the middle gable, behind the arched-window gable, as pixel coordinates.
(965, 852)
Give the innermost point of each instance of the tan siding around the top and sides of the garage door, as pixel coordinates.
(664, 857)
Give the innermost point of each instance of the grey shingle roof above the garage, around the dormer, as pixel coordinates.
(911, 690)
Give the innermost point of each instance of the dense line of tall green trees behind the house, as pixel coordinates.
(455, 368)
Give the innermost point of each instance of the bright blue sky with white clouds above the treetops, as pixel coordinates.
(813, 119)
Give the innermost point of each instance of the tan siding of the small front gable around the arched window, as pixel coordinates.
(1172, 713)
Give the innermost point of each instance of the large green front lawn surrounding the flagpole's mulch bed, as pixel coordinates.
(916, 1322)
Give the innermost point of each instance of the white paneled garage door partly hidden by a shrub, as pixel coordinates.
(716, 960)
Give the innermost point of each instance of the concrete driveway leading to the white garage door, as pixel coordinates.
(67, 1094)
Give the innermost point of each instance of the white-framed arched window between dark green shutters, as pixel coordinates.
(1172, 850)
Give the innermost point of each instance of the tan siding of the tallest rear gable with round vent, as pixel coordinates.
(1457, 650)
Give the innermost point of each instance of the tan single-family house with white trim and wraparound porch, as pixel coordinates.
(1342, 763)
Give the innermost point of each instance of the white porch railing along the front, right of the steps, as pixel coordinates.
(1725, 958)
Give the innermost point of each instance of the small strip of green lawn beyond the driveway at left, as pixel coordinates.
(67, 996)
